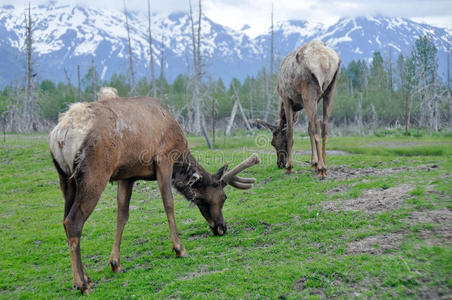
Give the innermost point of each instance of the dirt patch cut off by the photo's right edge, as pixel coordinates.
(441, 219)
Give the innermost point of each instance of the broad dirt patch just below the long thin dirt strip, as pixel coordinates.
(372, 201)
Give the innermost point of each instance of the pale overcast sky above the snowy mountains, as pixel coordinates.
(256, 13)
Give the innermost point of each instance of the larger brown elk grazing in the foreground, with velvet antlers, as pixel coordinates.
(124, 140)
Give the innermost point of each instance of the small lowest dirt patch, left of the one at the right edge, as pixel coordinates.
(375, 244)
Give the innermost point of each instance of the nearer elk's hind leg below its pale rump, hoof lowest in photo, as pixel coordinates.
(87, 196)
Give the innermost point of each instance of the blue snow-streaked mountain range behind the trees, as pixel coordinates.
(65, 36)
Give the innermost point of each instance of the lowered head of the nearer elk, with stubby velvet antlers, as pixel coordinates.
(207, 191)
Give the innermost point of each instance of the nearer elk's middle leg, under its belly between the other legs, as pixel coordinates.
(124, 193)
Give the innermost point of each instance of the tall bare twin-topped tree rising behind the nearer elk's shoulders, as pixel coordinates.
(197, 65)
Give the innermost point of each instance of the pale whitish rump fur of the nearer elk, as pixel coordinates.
(67, 137)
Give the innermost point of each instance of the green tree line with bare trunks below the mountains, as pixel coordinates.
(405, 91)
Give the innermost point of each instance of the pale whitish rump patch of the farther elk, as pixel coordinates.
(322, 61)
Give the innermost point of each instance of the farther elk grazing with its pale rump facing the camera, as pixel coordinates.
(306, 75)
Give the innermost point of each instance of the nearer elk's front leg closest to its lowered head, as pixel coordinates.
(164, 174)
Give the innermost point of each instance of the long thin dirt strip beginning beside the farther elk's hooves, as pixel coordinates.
(345, 173)
